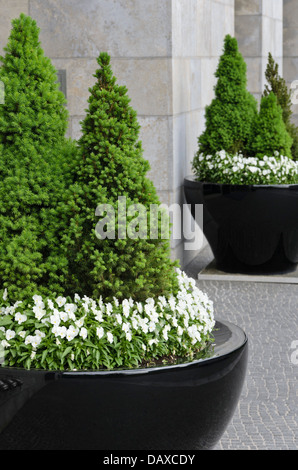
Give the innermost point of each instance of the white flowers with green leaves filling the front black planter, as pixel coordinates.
(87, 334)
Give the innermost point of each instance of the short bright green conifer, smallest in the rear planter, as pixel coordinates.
(269, 131)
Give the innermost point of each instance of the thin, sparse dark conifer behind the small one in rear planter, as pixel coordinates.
(278, 86)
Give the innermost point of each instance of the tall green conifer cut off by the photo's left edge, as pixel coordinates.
(34, 166)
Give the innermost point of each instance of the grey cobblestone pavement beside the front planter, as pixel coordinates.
(267, 414)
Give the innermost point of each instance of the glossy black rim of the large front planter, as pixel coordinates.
(236, 339)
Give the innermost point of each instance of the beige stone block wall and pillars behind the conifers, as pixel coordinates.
(166, 53)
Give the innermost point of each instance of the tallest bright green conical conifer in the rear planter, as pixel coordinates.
(231, 112)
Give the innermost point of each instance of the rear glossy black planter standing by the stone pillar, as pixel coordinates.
(250, 228)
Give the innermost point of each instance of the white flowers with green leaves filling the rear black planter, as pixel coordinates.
(236, 169)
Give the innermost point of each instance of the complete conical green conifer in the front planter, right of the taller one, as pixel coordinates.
(112, 171)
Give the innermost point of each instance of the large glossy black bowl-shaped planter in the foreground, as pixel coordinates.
(186, 406)
